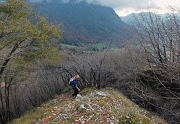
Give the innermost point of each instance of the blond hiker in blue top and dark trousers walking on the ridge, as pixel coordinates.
(74, 85)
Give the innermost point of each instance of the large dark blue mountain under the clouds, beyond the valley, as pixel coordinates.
(84, 22)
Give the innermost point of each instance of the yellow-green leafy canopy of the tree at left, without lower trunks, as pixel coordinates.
(26, 37)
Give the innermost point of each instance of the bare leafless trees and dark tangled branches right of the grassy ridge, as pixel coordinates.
(159, 84)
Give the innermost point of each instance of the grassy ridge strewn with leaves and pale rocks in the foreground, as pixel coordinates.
(105, 106)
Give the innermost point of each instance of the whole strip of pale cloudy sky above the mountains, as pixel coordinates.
(125, 7)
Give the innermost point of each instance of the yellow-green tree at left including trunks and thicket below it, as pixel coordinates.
(26, 41)
